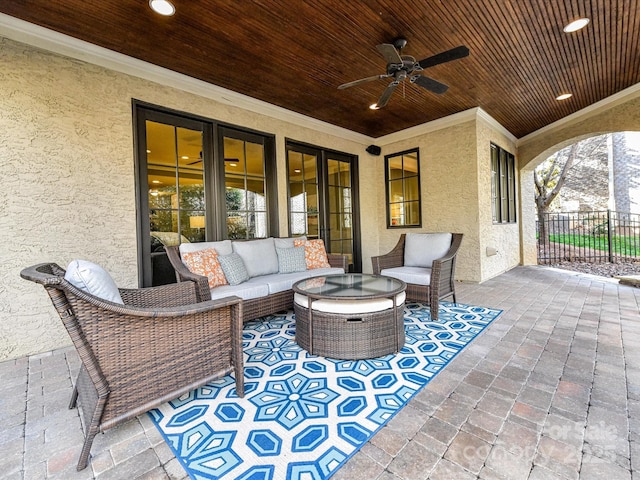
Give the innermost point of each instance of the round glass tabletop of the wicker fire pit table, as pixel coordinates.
(350, 285)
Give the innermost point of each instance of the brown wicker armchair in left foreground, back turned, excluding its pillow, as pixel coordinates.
(162, 343)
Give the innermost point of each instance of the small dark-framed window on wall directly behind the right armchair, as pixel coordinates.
(402, 175)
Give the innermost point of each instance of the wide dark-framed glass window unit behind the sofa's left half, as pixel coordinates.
(192, 189)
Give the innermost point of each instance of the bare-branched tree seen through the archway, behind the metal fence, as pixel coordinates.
(550, 175)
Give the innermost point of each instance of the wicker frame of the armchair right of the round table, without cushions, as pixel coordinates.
(439, 281)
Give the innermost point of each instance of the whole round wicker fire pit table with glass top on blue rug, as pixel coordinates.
(351, 316)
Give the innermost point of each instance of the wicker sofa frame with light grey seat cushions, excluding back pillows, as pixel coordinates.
(262, 294)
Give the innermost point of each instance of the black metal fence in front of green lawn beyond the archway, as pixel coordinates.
(599, 236)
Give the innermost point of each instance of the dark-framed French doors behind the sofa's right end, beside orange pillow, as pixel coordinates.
(323, 200)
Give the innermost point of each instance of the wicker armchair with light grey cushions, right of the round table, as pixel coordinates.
(428, 272)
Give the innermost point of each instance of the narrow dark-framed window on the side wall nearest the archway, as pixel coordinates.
(503, 185)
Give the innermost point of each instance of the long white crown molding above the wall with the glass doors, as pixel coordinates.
(40, 37)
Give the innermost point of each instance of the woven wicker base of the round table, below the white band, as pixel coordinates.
(350, 337)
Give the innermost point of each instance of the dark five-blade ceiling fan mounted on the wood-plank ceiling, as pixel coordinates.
(400, 67)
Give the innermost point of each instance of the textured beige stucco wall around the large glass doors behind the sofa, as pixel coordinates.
(66, 150)
